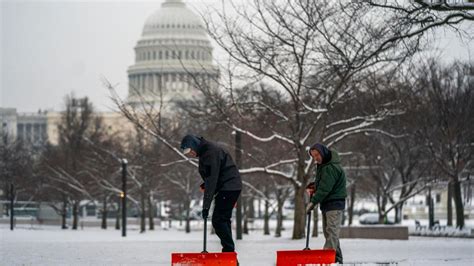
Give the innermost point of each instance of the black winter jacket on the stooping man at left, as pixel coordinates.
(218, 171)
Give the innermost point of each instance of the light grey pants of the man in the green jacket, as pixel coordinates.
(331, 226)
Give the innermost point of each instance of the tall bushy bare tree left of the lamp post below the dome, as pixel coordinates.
(62, 165)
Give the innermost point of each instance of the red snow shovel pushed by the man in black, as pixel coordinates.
(204, 258)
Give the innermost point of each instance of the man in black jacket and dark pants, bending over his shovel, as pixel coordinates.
(221, 181)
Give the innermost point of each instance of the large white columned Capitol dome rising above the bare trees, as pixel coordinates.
(173, 57)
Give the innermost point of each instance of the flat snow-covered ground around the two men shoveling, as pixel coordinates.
(47, 245)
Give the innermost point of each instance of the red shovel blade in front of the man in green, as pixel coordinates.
(305, 257)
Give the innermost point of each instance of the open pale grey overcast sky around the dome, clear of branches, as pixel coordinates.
(52, 48)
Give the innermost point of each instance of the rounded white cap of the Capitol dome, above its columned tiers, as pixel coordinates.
(173, 18)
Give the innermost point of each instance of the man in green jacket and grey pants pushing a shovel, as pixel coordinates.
(330, 193)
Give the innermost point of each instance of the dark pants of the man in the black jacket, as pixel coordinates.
(224, 203)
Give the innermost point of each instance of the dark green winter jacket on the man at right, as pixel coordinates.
(330, 181)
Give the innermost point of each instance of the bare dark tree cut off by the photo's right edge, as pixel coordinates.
(448, 127)
